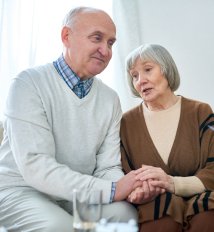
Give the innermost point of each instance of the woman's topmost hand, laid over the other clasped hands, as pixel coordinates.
(158, 178)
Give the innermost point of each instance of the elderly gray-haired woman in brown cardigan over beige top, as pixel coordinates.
(169, 140)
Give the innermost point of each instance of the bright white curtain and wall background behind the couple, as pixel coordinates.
(30, 35)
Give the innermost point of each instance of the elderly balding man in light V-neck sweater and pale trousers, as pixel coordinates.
(62, 132)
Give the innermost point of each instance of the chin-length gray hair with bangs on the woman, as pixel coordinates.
(159, 55)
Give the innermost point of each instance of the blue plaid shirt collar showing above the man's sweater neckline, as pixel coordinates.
(80, 88)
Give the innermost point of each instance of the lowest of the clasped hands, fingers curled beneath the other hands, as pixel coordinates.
(145, 193)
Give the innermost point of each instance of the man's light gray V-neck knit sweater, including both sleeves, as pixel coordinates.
(56, 142)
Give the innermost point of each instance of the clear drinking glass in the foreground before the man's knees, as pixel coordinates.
(87, 209)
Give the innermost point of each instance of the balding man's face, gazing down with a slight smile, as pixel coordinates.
(89, 44)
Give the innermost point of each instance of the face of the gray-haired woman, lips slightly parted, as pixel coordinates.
(149, 82)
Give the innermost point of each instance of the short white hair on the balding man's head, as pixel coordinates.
(71, 18)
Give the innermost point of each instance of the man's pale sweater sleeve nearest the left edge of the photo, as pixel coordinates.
(34, 150)
